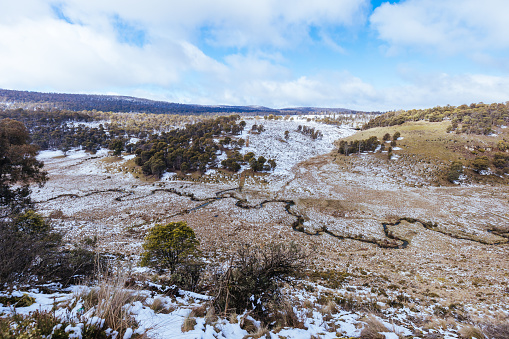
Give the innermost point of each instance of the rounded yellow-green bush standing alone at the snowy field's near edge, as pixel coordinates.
(170, 246)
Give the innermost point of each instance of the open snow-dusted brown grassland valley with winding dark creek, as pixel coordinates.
(388, 233)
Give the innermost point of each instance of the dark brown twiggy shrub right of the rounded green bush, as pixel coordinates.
(253, 276)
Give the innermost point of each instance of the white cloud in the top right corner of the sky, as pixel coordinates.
(446, 26)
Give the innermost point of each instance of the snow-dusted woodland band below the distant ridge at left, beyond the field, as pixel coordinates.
(63, 130)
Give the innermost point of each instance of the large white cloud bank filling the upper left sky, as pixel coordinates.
(73, 45)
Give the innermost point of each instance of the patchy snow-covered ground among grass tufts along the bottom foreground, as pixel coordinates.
(323, 321)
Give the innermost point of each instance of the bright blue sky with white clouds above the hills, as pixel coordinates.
(357, 54)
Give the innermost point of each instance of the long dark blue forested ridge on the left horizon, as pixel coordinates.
(114, 103)
